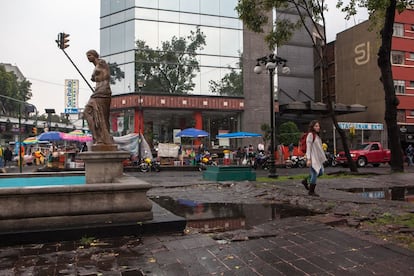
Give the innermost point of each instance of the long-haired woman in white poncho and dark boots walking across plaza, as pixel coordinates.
(315, 157)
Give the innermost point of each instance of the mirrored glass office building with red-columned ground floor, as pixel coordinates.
(143, 38)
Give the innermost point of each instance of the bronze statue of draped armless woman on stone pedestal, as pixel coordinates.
(97, 109)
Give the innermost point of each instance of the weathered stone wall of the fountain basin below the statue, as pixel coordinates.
(48, 208)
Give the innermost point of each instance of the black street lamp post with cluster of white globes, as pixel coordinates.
(271, 62)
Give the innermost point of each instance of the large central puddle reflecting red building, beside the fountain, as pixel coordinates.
(209, 217)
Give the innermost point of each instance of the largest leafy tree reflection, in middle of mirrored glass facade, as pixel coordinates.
(172, 68)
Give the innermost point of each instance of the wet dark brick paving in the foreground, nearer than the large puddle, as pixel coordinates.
(292, 246)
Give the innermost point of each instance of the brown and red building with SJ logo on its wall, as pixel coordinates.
(358, 76)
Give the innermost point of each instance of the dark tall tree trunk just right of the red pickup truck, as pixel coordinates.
(382, 15)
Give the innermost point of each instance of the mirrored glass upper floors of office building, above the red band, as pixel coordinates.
(156, 23)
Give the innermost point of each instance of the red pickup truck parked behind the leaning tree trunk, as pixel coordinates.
(367, 153)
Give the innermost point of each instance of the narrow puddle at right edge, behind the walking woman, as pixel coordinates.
(392, 193)
